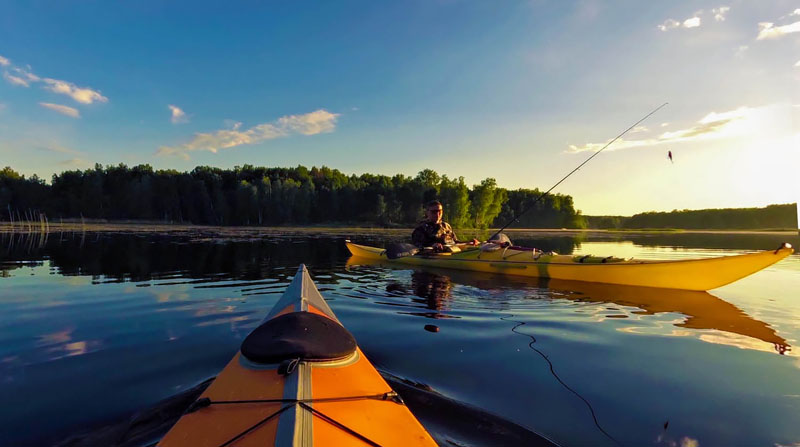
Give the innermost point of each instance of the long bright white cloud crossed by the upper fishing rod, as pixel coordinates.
(741, 121)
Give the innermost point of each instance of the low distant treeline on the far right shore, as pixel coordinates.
(772, 216)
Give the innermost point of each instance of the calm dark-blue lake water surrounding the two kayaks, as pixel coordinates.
(96, 326)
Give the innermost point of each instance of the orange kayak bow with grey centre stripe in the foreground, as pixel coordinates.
(298, 380)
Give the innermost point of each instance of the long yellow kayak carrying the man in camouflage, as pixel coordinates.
(691, 274)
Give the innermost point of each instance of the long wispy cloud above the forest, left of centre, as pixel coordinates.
(319, 121)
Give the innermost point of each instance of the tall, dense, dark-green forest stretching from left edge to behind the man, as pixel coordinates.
(251, 195)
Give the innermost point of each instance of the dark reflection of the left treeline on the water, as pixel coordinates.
(112, 257)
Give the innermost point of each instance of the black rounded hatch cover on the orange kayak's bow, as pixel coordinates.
(304, 336)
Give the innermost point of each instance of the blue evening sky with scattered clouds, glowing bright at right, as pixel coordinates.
(520, 91)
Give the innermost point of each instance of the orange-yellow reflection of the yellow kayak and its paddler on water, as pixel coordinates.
(703, 310)
